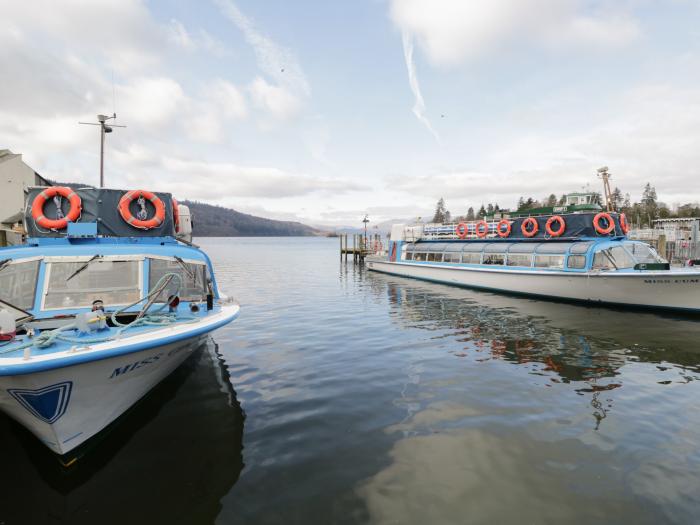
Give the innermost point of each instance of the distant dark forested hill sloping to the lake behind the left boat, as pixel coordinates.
(216, 221)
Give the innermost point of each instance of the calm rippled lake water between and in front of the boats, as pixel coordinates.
(347, 396)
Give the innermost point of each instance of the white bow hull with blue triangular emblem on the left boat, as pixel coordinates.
(68, 397)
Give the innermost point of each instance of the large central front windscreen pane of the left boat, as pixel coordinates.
(112, 282)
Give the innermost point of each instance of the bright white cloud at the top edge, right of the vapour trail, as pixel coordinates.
(452, 31)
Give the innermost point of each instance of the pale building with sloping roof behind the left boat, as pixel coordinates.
(15, 177)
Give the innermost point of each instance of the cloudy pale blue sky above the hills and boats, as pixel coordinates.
(322, 110)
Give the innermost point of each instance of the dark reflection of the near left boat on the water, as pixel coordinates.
(169, 460)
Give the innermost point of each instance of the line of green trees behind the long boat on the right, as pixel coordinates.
(641, 213)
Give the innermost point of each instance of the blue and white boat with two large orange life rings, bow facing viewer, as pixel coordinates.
(100, 304)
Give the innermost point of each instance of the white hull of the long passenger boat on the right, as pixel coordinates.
(679, 290)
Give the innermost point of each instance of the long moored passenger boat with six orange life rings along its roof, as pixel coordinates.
(582, 257)
